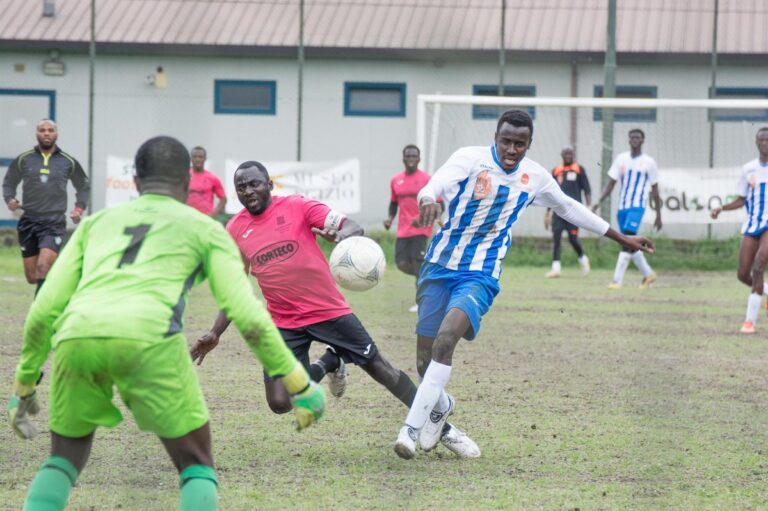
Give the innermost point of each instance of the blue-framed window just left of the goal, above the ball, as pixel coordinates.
(371, 99)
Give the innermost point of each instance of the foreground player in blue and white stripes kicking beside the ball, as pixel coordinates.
(485, 190)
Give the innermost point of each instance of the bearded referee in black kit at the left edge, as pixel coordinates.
(44, 171)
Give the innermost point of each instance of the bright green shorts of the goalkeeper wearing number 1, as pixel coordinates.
(156, 380)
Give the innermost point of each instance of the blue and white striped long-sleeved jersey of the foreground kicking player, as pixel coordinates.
(483, 201)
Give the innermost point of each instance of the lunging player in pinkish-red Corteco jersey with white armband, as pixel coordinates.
(276, 237)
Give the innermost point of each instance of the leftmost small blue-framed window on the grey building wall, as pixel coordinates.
(244, 97)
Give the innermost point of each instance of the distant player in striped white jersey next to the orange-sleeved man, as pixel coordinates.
(636, 171)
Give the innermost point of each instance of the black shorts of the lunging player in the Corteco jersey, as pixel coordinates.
(345, 334)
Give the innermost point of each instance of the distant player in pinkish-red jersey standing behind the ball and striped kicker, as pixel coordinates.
(411, 242)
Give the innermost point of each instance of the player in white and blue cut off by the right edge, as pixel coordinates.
(752, 189)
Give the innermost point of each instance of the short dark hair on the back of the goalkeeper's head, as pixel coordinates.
(162, 158)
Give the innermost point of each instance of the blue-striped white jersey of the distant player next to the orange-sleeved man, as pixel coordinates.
(636, 175)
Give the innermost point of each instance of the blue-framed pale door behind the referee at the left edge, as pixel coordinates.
(20, 110)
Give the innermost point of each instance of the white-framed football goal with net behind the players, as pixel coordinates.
(699, 145)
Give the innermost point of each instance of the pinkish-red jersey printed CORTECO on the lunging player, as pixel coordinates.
(287, 262)
